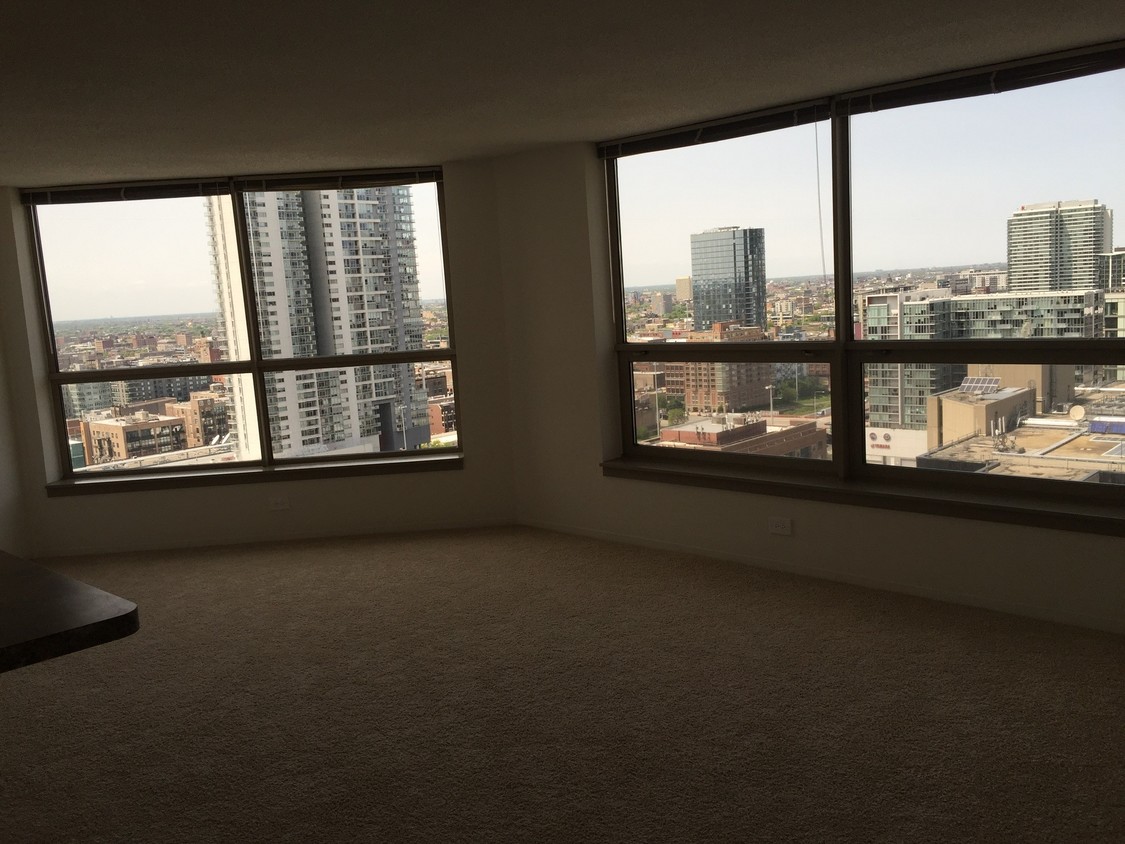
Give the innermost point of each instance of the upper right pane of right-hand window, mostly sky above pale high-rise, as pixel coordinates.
(991, 218)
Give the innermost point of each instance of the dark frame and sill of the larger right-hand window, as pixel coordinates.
(849, 478)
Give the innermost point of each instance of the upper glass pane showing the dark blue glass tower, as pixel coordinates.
(730, 241)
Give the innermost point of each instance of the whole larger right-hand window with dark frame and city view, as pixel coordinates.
(923, 279)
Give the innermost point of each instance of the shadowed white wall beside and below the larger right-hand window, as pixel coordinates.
(553, 212)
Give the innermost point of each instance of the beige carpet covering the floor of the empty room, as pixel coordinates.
(514, 685)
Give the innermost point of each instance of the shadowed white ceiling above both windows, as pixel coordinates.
(94, 93)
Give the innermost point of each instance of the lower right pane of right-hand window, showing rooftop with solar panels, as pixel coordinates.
(1051, 421)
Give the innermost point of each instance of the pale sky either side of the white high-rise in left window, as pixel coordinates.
(148, 258)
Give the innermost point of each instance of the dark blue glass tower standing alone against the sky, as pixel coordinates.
(730, 277)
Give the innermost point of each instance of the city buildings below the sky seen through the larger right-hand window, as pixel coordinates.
(1032, 419)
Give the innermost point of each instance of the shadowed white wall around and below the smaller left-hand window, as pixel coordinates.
(480, 495)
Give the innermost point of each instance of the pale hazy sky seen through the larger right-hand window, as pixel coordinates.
(932, 185)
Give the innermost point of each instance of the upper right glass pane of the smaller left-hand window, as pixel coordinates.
(346, 272)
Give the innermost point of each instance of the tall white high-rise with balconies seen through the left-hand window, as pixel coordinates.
(335, 274)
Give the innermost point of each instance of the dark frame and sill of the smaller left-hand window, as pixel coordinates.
(267, 466)
